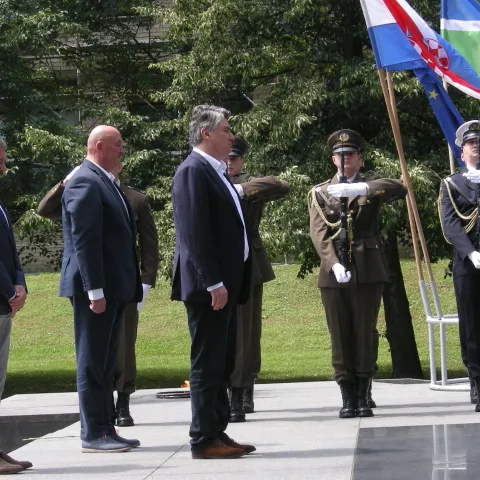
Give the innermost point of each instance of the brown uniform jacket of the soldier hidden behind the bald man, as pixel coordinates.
(51, 207)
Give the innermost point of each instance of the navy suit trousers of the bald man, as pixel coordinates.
(96, 343)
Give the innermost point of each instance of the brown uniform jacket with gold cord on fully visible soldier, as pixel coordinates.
(367, 255)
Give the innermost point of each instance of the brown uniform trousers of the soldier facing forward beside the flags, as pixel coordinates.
(352, 314)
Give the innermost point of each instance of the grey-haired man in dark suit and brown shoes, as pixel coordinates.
(210, 272)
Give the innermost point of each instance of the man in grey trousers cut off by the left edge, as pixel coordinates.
(13, 293)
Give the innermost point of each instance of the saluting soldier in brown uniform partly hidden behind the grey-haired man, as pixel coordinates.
(254, 192)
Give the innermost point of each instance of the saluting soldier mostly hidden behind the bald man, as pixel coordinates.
(126, 367)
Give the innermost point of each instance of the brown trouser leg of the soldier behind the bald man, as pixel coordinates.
(126, 365)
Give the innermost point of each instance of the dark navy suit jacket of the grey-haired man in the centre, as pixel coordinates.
(209, 237)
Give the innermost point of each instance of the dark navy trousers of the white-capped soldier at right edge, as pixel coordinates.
(468, 306)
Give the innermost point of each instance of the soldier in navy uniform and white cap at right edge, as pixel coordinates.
(458, 205)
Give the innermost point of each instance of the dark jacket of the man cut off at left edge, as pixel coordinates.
(10, 270)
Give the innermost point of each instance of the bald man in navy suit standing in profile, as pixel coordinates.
(100, 276)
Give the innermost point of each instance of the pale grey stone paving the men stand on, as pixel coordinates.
(296, 430)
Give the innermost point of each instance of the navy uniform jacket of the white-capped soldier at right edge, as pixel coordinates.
(465, 200)
